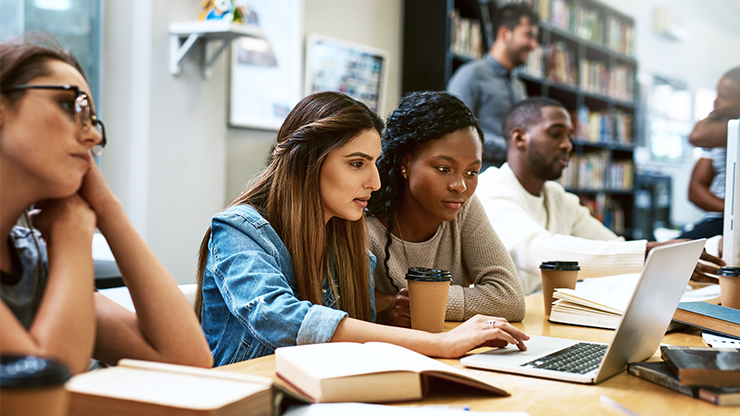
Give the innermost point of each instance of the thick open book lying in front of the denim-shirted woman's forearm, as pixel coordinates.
(374, 372)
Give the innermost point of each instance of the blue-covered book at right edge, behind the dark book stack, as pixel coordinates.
(710, 317)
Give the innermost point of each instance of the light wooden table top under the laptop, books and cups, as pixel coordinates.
(550, 398)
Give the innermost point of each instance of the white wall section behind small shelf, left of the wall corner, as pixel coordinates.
(167, 156)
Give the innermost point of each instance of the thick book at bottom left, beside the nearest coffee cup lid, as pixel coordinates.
(145, 388)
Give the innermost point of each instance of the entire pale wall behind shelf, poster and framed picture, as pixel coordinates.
(172, 160)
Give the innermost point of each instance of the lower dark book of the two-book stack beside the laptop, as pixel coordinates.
(660, 373)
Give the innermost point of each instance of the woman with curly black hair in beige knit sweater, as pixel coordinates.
(425, 213)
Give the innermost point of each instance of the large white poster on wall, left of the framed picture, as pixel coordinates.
(266, 73)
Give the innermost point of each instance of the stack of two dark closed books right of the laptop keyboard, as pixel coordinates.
(709, 374)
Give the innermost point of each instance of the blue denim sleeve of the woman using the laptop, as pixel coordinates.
(250, 272)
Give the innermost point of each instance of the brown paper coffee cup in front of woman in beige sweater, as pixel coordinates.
(428, 291)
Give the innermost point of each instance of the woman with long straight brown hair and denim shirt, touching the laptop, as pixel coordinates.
(287, 262)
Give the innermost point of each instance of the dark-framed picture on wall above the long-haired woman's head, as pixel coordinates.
(356, 70)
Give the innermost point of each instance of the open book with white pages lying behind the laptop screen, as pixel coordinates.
(600, 302)
